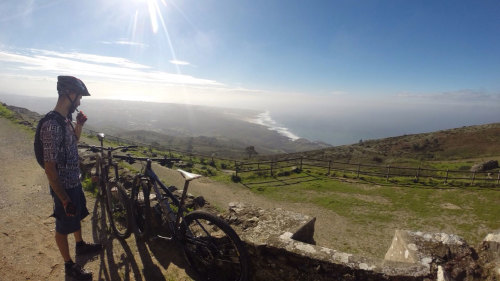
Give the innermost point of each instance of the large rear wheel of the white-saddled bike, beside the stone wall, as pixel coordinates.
(213, 249)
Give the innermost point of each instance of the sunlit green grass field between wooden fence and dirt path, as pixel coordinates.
(471, 212)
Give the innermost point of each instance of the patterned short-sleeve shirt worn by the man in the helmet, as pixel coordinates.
(66, 157)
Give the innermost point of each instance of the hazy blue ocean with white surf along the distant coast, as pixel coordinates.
(351, 127)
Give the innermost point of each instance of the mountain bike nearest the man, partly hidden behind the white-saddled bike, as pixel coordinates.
(110, 189)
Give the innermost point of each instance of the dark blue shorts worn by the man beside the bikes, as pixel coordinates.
(66, 224)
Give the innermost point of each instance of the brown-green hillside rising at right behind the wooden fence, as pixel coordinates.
(481, 141)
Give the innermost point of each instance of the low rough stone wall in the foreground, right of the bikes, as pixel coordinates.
(276, 255)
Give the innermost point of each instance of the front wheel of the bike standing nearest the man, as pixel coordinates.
(118, 210)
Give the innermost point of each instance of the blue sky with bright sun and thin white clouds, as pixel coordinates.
(308, 60)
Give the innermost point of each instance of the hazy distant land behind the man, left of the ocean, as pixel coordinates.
(199, 129)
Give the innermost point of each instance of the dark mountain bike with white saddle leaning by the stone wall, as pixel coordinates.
(211, 247)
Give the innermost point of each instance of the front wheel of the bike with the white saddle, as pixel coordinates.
(141, 209)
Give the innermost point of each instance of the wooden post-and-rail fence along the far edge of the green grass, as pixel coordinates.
(276, 168)
